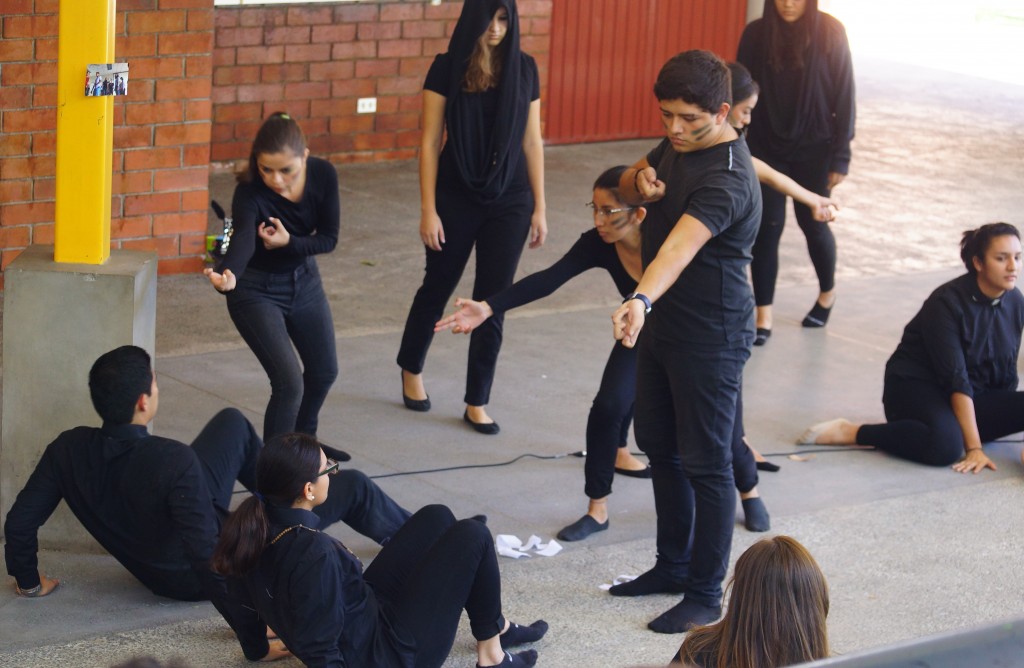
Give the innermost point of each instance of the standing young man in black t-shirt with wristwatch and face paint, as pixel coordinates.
(704, 207)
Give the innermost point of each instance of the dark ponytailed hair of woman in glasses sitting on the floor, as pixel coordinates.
(285, 466)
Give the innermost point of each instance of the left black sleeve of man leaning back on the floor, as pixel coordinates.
(34, 506)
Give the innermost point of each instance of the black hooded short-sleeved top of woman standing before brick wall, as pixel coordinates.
(484, 150)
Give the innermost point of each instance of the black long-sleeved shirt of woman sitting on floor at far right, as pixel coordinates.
(962, 341)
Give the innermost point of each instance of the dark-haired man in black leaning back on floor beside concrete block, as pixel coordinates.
(156, 505)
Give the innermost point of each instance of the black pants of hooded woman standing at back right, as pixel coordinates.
(810, 170)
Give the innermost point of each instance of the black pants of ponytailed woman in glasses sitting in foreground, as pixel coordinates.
(433, 570)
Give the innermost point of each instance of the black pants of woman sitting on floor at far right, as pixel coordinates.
(922, 427)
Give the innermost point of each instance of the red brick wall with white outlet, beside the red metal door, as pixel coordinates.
(315, 62)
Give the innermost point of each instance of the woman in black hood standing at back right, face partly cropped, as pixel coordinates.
(803, 129)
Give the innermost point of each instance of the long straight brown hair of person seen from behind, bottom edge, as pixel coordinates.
(779, 602)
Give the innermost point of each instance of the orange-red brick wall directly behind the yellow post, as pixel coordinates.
(161, 129)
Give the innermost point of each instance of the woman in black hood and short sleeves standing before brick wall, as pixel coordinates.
(483, 187)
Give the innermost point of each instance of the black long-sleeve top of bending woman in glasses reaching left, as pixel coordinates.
(589, 253)
